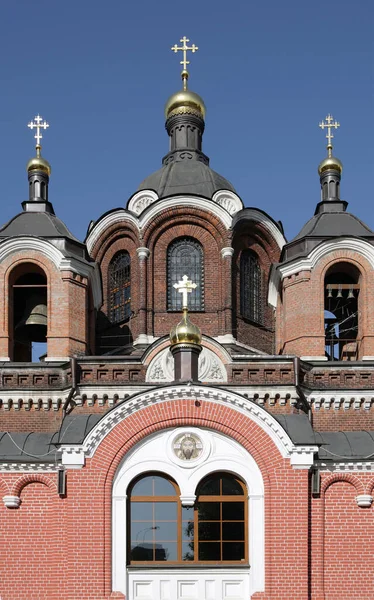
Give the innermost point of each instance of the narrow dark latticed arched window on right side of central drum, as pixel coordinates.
(250, 287)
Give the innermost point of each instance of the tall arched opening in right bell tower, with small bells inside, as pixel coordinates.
(341, 316)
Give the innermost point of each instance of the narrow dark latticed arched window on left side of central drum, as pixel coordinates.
(119, 288)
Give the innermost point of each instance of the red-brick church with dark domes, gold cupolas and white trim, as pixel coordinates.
(201, 423)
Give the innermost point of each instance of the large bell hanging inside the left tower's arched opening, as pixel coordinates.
(33, 326)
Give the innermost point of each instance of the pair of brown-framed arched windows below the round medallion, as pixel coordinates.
(214, 530)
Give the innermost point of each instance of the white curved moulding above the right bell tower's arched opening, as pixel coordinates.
(309, 262)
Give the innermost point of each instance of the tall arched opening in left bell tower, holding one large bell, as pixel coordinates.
(28, 313)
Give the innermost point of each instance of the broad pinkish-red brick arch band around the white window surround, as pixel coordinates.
(102, 467)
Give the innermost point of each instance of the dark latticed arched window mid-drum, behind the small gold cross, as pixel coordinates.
(185, 257)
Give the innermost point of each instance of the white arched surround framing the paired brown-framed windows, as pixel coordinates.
(227, 455)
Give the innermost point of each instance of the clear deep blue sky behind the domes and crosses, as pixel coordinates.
(268, 71)
